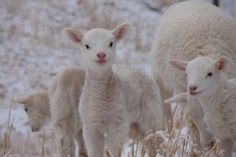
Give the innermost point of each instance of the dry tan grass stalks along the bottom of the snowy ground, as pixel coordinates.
(168, 143)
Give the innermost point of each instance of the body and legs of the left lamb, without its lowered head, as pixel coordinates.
(64, 96)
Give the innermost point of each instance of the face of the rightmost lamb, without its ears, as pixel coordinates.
(203, 78)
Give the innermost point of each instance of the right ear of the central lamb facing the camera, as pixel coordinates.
(120, 31)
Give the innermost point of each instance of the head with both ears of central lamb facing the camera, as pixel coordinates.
(98, 45)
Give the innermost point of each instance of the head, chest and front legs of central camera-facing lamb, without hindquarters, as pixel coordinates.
(102, 104)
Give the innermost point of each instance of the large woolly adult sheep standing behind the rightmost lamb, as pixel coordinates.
(188, 30)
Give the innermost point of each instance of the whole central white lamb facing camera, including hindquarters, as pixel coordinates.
(110, 102)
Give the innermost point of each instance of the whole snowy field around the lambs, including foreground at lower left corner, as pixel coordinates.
(33, 47)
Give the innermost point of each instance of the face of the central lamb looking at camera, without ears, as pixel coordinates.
(98, 49)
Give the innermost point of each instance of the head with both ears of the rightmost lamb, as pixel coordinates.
(204, 75)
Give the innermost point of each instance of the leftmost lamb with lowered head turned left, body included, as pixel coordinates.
(63, 97)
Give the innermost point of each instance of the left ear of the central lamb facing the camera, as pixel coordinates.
(74, 35)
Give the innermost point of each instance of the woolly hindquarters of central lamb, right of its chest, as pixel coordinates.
(143, 104)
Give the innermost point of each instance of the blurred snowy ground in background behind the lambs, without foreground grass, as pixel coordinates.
(34, 46)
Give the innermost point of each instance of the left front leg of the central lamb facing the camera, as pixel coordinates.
(94, 141)
